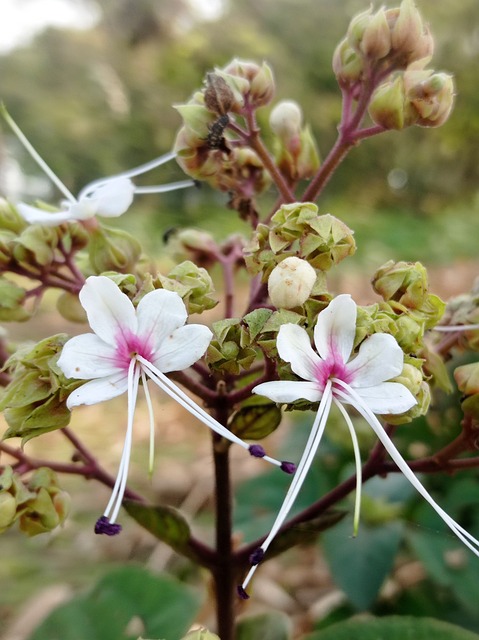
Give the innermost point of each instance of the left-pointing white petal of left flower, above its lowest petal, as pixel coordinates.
(87, 357)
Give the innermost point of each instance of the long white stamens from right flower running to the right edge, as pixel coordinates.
(350, 396)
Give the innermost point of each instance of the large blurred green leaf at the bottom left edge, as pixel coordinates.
(165, 607)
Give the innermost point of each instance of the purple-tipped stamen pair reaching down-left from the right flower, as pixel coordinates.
(304, 465)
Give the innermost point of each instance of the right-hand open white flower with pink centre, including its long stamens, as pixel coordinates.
(334, 375)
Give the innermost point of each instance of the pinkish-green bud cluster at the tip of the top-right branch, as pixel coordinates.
(395, 46)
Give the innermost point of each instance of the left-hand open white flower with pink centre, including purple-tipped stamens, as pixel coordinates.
(129, 345)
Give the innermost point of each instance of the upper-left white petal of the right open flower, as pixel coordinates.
(294, 346)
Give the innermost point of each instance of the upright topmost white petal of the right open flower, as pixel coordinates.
(335, 329)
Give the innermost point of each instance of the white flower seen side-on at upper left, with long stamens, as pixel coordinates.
(108, 197)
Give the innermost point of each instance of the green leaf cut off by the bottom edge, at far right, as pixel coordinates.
(393, 628)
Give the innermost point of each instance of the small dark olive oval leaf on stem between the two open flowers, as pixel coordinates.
(256, 420)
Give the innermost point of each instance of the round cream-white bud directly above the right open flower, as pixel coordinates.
(291, 283)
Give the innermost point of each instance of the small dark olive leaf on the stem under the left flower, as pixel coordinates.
(165, 523)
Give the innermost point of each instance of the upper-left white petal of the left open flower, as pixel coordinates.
(109, 311)
